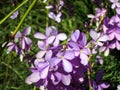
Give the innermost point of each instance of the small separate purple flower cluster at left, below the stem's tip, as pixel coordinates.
(24, 45)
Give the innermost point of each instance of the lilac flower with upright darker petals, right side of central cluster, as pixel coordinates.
(78, 45)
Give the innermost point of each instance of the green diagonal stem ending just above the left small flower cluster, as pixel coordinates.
(23, 18)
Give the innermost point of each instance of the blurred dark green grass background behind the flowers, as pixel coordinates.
(13, 72)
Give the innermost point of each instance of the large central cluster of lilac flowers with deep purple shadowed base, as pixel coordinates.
(55, 64)
